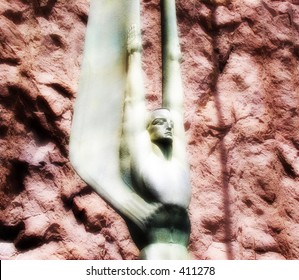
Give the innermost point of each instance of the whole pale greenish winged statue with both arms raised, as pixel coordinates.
(145, 176)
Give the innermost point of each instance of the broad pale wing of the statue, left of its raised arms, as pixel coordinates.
(96, 127)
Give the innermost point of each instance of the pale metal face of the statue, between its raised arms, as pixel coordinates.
(160, 126)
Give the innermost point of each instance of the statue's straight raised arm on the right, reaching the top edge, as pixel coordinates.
(172, 87)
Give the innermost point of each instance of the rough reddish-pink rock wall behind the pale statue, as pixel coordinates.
(241, 75)
